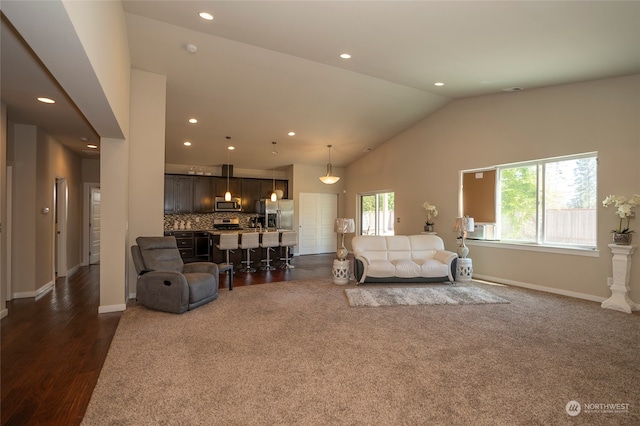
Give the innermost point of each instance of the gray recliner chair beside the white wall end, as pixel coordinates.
(165, 282)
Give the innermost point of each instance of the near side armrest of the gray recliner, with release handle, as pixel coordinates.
(163, 290)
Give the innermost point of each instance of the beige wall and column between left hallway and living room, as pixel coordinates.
(92, 36)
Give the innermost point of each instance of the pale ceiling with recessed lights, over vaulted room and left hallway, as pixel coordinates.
(264, 68)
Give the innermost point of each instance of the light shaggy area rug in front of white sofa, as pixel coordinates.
(396, 296)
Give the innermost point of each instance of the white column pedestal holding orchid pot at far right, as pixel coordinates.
(621, 263)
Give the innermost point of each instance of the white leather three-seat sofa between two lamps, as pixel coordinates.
(402, 258)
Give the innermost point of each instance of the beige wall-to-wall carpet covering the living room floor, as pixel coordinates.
(296, 353)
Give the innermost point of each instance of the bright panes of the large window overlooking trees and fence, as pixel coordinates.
(547, 202)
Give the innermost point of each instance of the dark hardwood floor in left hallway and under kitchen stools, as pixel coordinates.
(53, 349)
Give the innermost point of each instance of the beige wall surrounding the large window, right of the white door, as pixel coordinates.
(423, 163)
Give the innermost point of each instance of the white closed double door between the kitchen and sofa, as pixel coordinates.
(318, 213)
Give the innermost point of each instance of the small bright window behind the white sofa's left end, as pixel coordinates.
(376, 213)
